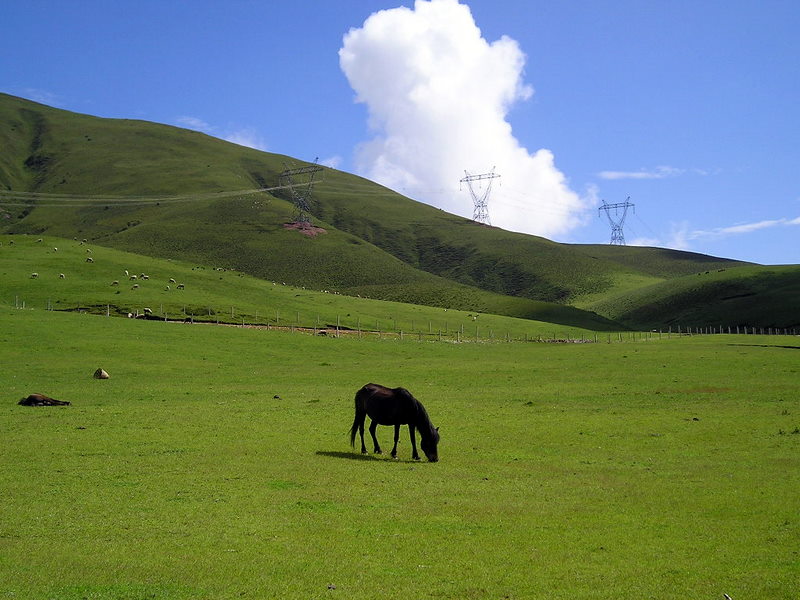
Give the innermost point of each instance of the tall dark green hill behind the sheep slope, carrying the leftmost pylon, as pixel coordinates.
(168, 192)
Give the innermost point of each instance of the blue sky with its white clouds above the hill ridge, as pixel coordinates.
(689, 108)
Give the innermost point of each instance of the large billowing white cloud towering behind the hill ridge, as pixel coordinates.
(438, 95)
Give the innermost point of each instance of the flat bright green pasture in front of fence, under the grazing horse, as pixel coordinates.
(215, 463)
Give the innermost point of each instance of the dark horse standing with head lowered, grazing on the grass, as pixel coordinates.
(386, 406)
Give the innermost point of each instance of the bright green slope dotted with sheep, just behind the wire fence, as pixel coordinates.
(212, 293)
